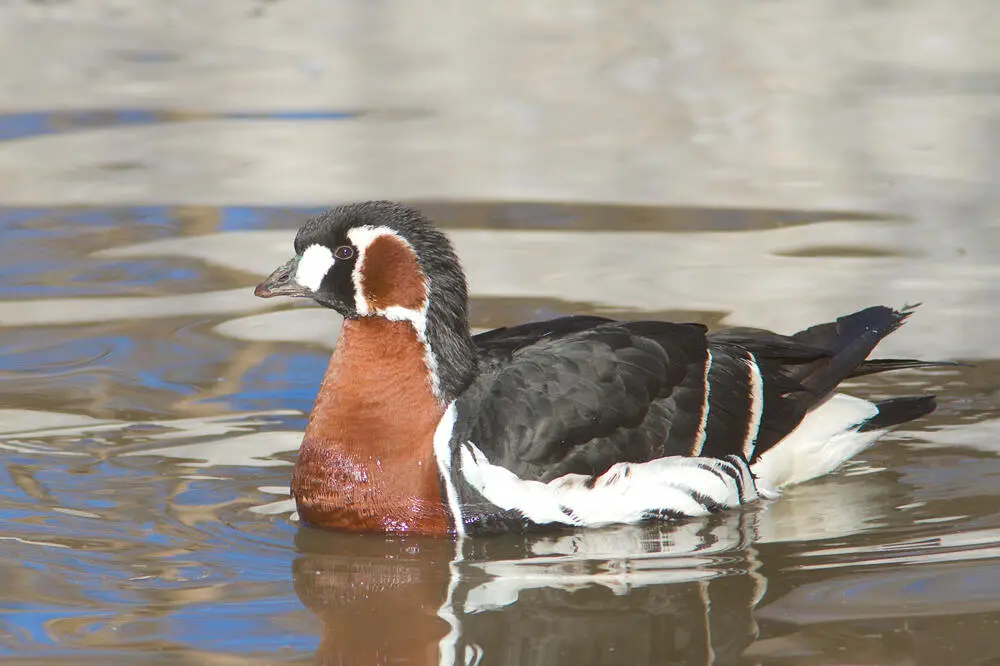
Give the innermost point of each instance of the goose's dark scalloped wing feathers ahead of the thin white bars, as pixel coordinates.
(579, 402)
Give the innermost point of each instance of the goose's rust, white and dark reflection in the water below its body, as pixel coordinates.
(536, 599)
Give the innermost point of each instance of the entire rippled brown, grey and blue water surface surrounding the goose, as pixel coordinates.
(768, 164)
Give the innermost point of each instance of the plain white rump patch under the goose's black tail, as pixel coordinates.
(826, 438)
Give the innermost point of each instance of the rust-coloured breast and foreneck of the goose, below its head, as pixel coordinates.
(367, 458)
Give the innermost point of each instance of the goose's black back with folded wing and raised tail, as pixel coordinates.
(578, 394)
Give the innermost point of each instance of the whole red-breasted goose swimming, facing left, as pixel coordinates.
(419, 426)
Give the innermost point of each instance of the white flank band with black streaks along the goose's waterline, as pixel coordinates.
(626, 493)
